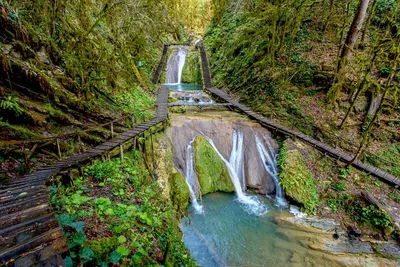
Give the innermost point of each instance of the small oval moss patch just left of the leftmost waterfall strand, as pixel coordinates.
(179, 191)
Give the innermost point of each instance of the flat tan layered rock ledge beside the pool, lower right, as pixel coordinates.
(315, 235)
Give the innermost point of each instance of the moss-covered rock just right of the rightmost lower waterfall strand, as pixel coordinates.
(296, 179)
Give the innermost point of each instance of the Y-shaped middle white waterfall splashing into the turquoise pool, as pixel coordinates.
(235, 167)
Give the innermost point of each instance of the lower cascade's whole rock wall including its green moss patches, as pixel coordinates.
(212, 174)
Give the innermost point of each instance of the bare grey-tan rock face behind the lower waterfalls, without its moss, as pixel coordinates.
(220, 130)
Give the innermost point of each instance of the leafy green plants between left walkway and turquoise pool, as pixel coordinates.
(123, 201)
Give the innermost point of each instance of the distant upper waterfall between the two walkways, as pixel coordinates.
(175, 65)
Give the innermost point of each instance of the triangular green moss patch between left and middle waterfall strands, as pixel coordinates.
(211, 171)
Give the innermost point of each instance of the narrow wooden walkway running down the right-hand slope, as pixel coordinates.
(324, 148)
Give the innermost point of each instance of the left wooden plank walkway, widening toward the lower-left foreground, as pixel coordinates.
(29, 231)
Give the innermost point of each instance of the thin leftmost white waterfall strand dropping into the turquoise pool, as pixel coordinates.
(191, 177)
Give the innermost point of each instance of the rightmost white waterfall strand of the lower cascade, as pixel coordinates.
(268, 158)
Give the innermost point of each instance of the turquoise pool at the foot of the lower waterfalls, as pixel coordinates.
(226, 235)
